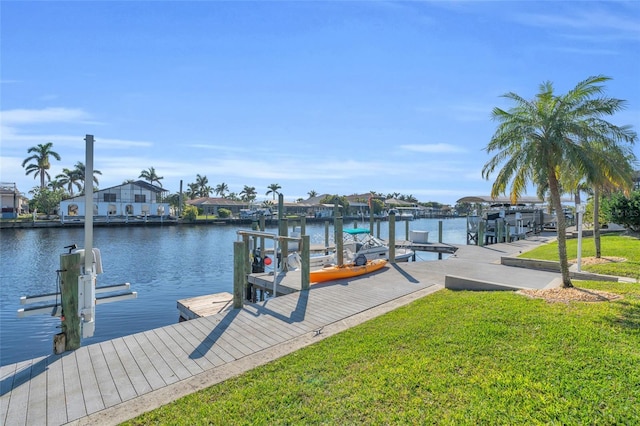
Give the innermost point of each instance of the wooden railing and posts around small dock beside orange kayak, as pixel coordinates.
(243, 260)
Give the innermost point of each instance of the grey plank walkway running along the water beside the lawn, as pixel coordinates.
(109, 382)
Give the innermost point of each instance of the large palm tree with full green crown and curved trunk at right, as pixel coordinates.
(538, 140)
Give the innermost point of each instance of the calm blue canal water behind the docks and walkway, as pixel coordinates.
(163, 264)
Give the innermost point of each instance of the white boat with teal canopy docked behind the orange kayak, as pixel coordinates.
(357, 241)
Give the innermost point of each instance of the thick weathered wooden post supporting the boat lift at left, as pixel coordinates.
(70, 271)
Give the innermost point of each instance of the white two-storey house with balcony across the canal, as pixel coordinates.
(127, 200)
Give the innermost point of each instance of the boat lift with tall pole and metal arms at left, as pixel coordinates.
(75, 302)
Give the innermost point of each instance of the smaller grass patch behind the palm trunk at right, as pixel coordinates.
(611, 246)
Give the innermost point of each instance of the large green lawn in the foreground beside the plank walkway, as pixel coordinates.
(450, 358)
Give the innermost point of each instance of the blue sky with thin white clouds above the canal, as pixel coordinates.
(337, 97)
